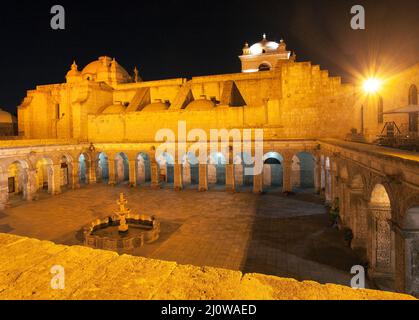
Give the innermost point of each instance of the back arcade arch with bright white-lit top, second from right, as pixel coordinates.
(273, 170)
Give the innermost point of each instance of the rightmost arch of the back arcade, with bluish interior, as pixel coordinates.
(302, 172)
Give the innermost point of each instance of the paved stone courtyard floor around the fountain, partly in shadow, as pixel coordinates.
(270, 233)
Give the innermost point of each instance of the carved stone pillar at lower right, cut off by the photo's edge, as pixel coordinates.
(407, 253)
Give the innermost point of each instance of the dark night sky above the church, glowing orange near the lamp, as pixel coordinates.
(177, 38)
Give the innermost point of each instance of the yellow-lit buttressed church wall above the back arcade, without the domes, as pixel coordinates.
(296, 100)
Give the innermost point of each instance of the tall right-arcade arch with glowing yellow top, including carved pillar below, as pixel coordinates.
(381, 244)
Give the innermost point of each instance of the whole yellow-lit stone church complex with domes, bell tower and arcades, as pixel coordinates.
(100, 126)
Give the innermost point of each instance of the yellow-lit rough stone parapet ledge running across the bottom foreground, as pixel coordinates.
(25, 273)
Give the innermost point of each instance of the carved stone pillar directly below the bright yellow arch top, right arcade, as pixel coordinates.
(381, 243)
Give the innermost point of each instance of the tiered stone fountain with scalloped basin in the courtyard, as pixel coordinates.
(122, 232)
